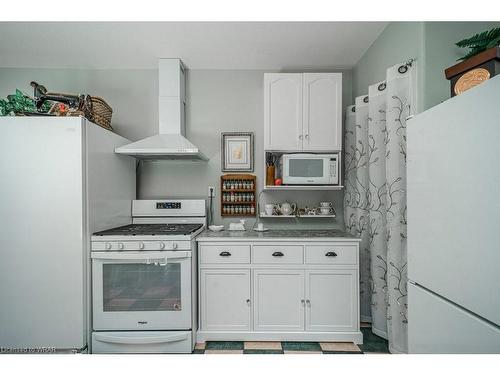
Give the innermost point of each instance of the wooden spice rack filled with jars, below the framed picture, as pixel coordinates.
(238, 195)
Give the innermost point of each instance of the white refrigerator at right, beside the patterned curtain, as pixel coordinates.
(454, 224)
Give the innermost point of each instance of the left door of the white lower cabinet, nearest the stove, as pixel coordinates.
(225, 299)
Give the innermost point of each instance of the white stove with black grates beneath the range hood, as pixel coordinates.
(144, 279)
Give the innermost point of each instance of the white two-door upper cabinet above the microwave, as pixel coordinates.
(303, 111)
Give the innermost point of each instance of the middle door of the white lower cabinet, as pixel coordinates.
(279, 296)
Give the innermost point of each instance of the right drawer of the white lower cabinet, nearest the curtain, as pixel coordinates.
(331, 254)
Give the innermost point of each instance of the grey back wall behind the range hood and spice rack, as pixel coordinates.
(218, 101)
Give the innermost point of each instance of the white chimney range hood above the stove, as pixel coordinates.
(170, 143)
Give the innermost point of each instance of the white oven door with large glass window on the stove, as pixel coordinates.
(141, 290)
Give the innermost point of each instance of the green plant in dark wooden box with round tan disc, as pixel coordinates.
(480, 63)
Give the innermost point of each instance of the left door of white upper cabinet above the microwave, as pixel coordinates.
(283, 111)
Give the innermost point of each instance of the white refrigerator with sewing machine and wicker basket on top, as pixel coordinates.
(61, 181)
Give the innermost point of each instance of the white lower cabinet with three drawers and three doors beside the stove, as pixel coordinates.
(302, 294)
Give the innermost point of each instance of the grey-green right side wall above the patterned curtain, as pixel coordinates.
(431, 43)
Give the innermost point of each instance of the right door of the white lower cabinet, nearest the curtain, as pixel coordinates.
(331, 300)
